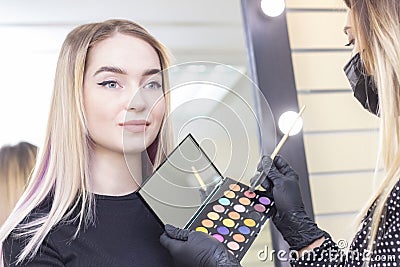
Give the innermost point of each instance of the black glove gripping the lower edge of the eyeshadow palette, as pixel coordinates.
(196, 249)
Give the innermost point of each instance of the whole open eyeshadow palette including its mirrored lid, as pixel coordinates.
(189, 192)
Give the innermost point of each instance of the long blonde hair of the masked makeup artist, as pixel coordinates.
(377, 28)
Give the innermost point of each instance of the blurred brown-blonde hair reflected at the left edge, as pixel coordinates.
(16, 165)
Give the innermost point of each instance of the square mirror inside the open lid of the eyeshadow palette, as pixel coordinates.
(178, 188)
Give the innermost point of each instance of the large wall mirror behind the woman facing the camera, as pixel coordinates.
(207, 30)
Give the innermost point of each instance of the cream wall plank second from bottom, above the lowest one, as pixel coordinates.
(335, 193)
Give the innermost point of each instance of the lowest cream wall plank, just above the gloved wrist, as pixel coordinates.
(339, 227)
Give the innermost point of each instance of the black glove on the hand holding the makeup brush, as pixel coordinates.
(291, 218)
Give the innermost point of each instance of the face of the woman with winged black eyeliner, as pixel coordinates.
(123, 94)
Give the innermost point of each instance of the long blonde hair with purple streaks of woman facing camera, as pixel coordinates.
(62, 171)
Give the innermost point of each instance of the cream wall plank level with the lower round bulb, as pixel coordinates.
(335, 111)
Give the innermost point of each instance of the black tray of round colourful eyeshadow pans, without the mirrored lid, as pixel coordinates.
(236, 217)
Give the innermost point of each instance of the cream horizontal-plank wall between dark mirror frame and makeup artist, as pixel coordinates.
(332, 194)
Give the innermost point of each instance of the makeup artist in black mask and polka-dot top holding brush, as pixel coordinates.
(373, 28)
